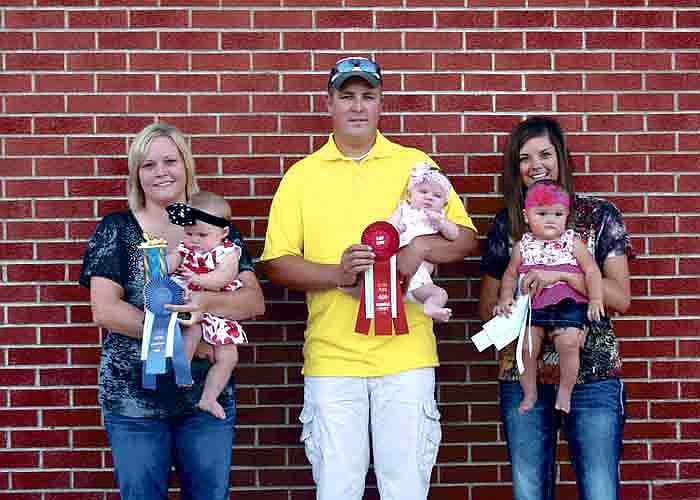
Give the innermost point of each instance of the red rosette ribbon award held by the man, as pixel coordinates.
(381, 299)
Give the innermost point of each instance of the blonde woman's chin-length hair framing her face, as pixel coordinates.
(139, 150)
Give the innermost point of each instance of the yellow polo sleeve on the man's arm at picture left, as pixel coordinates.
(285, 224)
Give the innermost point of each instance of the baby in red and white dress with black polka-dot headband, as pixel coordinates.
(206, 260)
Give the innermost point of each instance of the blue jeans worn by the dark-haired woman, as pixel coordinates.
(593, 430)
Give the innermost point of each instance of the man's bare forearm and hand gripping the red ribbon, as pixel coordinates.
(294, 272)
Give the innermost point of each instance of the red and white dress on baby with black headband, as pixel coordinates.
(215, 329)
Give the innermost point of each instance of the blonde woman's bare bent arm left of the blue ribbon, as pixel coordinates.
(110, 311)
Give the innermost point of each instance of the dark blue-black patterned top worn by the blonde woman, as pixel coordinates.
(113, 253)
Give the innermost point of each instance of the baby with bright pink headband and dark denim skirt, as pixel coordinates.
(558, 309)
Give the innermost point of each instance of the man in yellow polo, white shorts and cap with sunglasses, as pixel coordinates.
(355, 384)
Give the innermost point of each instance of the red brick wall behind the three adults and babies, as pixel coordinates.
(245, 79)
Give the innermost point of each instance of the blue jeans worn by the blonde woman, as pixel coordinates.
(199, 444)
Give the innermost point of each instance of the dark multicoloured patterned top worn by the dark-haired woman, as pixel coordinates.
(600, 224)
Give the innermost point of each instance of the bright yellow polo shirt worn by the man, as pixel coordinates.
(321, 207)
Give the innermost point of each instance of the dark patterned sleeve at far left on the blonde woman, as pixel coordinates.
(104, 253)
